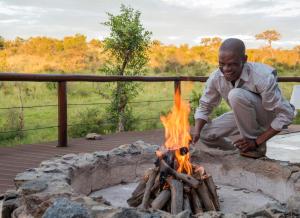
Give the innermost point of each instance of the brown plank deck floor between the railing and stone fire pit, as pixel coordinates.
(17, 159)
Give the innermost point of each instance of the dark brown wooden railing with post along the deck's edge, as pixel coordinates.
(62, 88)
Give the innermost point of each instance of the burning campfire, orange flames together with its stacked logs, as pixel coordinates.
(175, 184)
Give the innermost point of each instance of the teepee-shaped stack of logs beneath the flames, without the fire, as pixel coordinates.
(178, 191)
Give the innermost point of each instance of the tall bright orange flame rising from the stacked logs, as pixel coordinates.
(177, 132)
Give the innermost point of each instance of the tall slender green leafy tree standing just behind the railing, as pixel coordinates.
(127, 44)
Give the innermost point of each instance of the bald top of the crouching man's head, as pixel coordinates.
(233, 45)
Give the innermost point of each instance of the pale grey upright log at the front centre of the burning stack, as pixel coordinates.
(176, 195)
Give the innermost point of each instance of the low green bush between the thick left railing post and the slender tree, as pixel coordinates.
(89, 120)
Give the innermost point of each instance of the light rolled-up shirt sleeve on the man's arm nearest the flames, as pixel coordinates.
(210, 99)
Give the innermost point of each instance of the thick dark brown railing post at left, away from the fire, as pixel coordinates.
(62, 115)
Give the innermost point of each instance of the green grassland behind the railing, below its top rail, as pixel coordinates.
(40, 99)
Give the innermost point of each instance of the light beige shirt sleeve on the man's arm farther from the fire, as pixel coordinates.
(273, 100)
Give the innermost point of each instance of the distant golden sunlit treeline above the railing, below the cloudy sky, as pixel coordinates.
(74, 54)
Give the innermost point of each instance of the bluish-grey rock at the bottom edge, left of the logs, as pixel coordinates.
(64, 208)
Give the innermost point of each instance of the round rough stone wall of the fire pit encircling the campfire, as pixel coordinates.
(63, 186)
